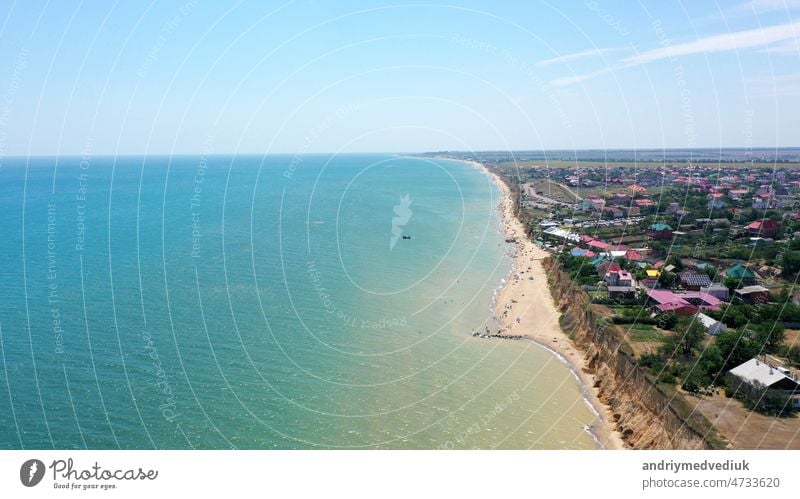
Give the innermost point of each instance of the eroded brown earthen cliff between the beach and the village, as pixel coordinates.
(641, 413)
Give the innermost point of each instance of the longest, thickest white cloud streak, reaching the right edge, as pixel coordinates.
(737, 40)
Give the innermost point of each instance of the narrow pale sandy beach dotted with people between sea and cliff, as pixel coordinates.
(526, 295)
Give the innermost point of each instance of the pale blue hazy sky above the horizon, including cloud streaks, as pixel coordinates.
(305, 76)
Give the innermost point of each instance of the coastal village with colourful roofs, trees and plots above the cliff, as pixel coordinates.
(695, 267)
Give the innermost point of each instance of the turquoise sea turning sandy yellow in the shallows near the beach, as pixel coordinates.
(263, 302)
